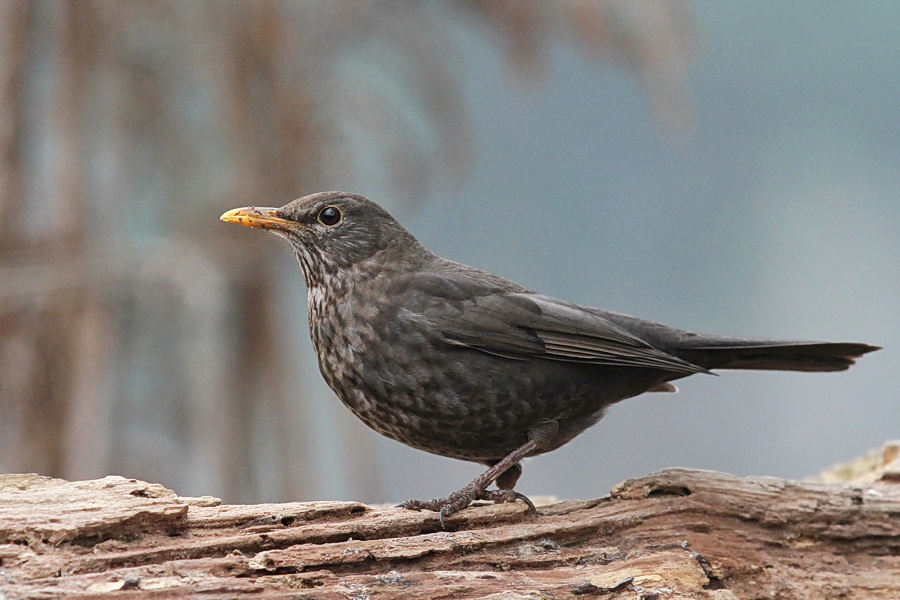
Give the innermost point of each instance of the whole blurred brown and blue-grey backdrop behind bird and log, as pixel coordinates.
(730, 168)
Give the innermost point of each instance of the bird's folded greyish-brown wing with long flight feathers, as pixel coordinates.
(485, 315)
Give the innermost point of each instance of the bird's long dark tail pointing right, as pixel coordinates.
(771, 355)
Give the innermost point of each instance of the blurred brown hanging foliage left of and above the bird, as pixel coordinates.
(137, 336)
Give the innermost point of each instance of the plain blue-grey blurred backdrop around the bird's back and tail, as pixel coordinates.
(778, 215)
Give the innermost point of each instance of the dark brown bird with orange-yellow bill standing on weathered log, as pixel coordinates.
(462, 363)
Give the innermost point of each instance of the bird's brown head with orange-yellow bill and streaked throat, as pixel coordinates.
(332, 231)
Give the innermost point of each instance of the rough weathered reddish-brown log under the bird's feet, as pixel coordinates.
(672, 534)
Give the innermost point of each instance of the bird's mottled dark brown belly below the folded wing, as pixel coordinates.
(455, 401)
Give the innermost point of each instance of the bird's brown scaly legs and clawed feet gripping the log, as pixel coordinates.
(477, 488)
